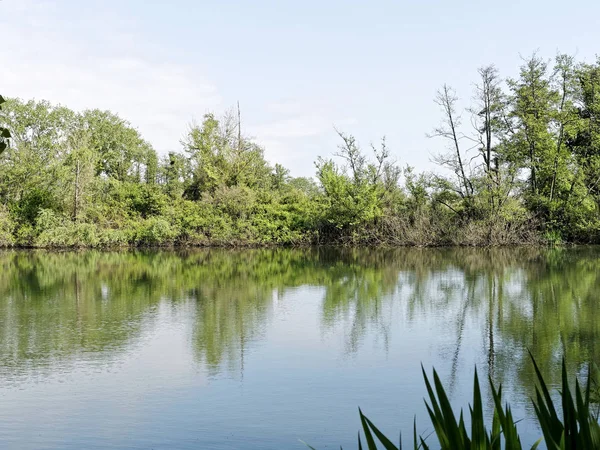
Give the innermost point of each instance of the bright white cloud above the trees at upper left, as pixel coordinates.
(102, 70)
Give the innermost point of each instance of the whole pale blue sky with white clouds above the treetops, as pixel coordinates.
(298, 68)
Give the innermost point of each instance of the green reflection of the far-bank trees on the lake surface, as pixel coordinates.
(56, 307)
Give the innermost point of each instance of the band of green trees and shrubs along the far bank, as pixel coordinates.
(525, 170)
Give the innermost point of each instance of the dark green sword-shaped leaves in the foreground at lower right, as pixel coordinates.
(577, 428)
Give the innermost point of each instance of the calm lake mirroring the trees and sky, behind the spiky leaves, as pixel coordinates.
(257, 349)
